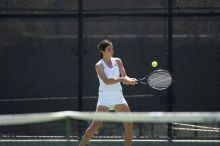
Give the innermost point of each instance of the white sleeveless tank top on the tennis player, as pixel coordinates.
(110, 73)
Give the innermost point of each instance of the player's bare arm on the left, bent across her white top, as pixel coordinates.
(108, 81)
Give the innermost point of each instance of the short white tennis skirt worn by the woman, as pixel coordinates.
(110, 99)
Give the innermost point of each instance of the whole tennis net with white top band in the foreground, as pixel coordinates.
(66, 128)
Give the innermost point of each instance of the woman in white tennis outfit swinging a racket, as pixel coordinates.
(110, 72)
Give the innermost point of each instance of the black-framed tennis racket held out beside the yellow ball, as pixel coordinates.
(158, 79)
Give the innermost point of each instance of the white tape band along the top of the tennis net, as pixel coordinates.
(151, 117)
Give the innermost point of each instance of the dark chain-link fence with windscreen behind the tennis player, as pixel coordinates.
(44, 43)
